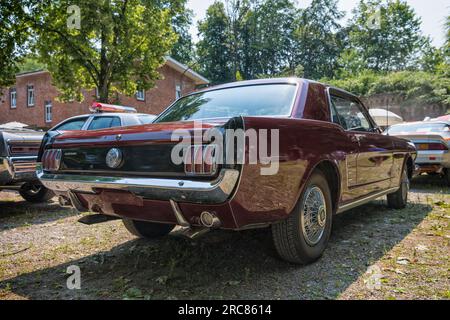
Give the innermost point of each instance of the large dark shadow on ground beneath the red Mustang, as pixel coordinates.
(227, 265)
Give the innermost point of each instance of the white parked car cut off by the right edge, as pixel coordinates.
(432, 140)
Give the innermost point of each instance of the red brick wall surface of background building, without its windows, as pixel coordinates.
(156, 100)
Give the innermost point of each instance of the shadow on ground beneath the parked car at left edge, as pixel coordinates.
(14, 214)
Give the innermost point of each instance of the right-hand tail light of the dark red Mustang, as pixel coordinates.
(200, 160)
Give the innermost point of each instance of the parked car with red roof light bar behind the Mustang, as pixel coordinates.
(105, 116)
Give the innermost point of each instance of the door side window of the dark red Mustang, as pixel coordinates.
(350, 115)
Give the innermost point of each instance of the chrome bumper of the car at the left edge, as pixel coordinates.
(17, 169)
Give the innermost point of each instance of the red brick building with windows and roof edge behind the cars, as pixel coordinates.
(33, 98)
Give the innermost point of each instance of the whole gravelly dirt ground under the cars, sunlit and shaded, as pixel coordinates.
(374, 253)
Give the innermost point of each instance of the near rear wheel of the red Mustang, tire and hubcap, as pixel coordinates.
(304, 236)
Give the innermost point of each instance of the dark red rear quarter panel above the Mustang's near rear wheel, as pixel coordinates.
(304, 144)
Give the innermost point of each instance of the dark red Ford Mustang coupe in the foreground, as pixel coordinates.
(283, 153)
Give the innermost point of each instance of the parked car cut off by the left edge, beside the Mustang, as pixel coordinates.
(19, 148)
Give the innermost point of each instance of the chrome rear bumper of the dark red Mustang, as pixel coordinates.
(203, 192)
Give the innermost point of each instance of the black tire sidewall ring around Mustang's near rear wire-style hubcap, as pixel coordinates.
(313, 253)
